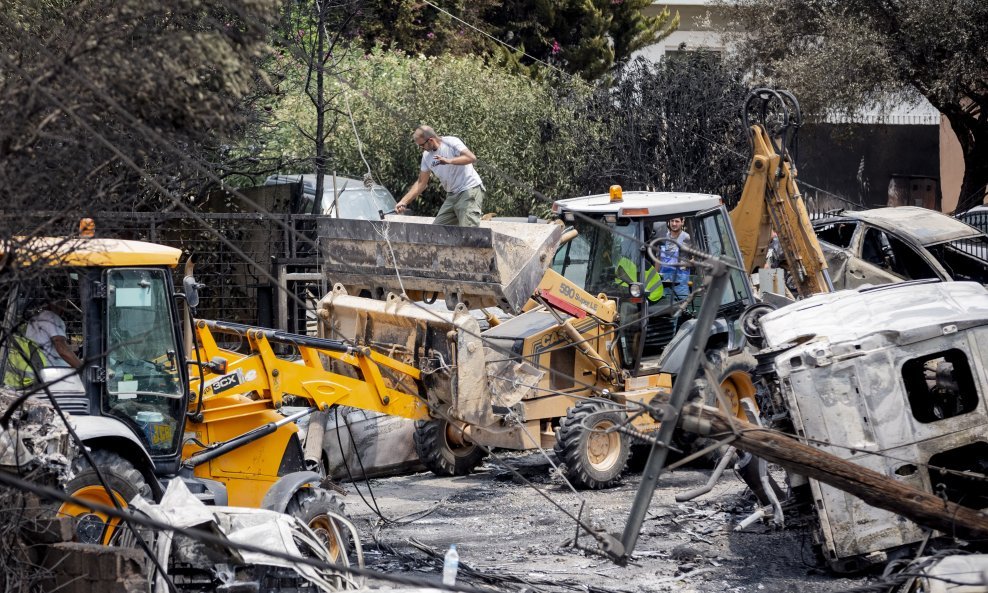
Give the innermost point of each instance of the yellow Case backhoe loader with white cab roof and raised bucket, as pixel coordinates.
(585, 341)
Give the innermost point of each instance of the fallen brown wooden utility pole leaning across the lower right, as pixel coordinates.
(870, 486)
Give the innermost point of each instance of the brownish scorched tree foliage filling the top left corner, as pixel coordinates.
(97, 99)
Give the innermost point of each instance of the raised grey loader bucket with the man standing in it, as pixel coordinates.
(498, 264)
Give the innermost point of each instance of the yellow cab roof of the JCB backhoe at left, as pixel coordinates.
(95, 252)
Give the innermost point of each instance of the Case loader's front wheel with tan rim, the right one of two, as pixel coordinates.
(593, 459)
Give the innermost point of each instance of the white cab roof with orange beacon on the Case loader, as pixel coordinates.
(640, 203)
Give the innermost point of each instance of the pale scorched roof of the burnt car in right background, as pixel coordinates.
(926, 226)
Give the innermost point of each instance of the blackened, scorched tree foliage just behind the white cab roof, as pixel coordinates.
(671, 126)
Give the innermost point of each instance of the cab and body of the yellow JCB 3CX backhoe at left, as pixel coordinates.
(133, 403)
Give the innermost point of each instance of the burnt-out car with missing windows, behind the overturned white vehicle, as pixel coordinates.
(887, 245)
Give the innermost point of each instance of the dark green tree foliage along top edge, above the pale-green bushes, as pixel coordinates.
(583, 37)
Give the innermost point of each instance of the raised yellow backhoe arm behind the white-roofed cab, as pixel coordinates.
(770, 200)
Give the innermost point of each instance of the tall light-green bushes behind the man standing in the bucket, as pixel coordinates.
(525, 133)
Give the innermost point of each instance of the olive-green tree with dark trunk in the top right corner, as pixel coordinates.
(844, 56)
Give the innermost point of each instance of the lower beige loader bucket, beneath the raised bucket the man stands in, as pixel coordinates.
(460, 376)
